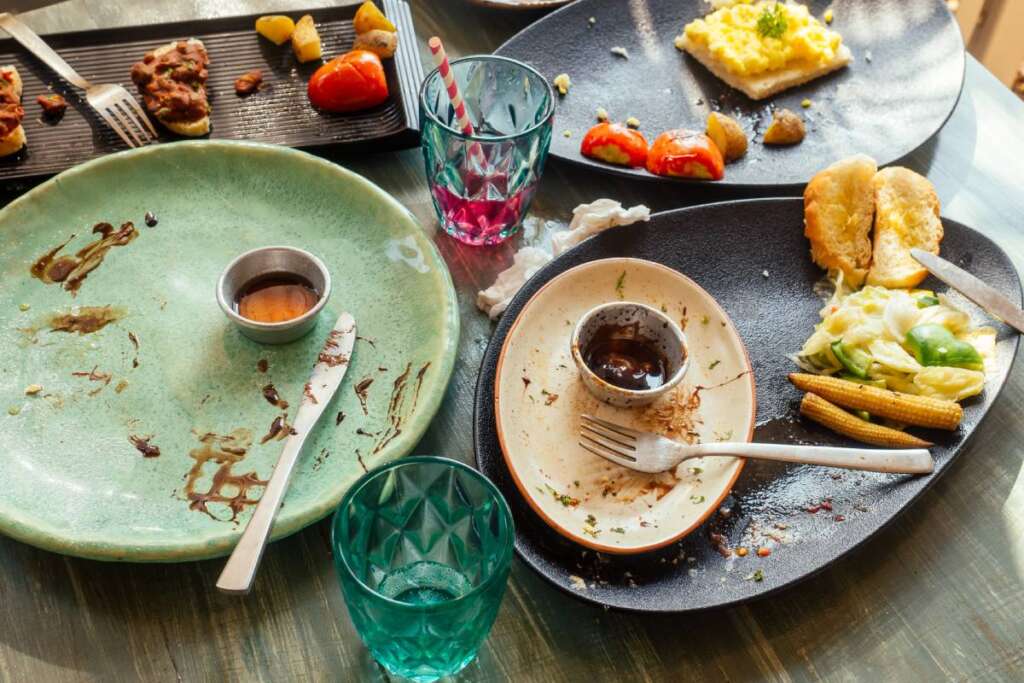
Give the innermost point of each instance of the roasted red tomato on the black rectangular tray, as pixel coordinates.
(350, 83)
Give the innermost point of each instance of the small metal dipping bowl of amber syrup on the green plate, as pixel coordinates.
(269, 262)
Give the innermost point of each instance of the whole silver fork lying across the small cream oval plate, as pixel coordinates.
(651, 453)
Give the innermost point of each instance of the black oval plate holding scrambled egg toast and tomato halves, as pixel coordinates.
(885, 108)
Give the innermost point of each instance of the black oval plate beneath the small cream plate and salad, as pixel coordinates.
(729, 249)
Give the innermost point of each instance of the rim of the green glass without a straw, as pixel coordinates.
(362, 483)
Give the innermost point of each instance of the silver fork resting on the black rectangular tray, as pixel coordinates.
(115, 105)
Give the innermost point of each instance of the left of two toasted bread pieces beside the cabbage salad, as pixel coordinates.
(839, 206)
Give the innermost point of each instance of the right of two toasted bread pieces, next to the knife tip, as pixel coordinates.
(907, 216)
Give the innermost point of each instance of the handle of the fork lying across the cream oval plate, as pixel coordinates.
(909, 461)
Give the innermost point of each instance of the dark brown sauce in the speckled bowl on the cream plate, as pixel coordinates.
(620, 356)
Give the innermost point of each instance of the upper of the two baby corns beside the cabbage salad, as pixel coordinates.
(905, 408)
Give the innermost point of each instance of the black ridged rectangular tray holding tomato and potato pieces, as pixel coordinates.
(280, 113)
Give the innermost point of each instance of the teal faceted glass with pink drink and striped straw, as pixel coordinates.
(483, 185)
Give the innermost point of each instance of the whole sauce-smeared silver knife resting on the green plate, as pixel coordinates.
(329, 371)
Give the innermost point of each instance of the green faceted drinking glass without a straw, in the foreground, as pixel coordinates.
(423, 548)
